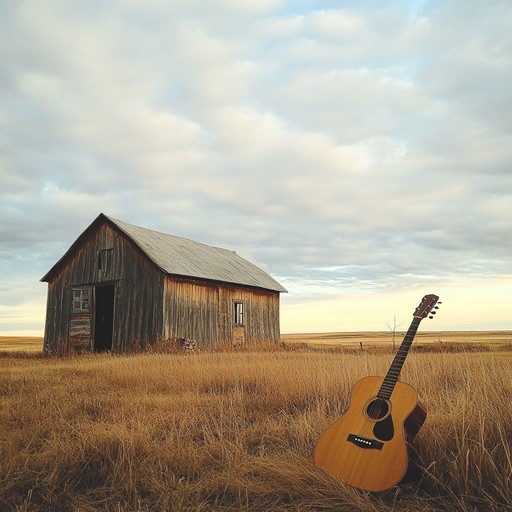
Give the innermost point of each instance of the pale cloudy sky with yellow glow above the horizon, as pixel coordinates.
(359, 151)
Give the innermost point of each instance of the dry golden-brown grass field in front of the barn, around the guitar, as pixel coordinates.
(236, 430)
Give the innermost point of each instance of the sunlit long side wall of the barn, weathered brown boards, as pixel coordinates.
(204, 312)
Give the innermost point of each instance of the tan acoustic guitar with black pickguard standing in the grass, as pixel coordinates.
(369, 446)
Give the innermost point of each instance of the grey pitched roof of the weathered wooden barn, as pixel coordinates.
(182, 257)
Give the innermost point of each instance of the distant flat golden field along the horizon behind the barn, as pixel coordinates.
(35, 344)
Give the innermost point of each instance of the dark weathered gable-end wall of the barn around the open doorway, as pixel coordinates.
(105, 257)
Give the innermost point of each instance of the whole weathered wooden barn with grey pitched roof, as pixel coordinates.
(120, 285)
